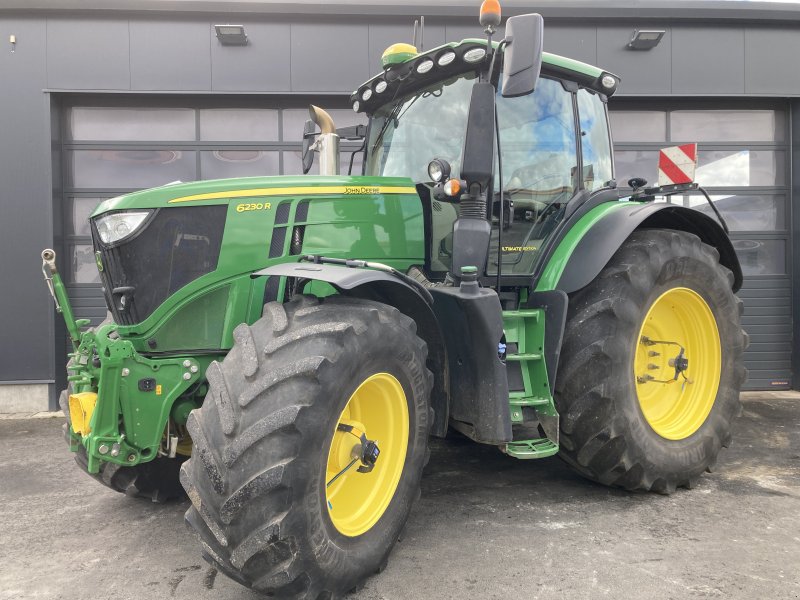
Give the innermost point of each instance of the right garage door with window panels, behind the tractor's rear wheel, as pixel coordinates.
(744, 165)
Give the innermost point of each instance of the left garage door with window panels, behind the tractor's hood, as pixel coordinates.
(113, 145)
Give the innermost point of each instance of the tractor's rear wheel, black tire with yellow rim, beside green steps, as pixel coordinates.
(651, 367)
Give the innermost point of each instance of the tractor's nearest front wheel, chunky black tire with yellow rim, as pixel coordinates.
(282, 418)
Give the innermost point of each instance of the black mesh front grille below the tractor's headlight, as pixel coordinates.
(174, 247)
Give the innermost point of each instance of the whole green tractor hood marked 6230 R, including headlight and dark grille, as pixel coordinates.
(173, 259)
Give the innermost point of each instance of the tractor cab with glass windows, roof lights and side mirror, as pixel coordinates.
(547, 151)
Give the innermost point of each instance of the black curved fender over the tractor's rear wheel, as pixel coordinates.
(605, 233)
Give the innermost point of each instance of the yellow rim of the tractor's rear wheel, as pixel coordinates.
(676, 407)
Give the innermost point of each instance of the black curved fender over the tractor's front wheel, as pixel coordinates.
(382, 287)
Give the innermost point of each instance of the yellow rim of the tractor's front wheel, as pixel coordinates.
(378, 409)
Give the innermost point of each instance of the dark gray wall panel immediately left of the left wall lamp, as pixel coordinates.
(170, 56)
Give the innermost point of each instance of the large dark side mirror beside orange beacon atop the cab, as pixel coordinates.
(523, 54)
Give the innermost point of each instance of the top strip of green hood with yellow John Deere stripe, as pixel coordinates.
(224, 190)
